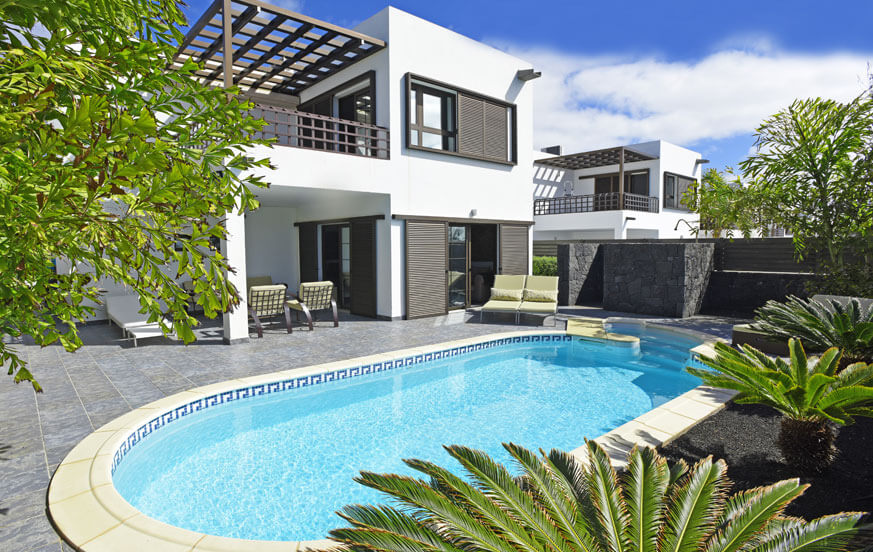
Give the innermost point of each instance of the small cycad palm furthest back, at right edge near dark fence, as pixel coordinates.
(821, 324)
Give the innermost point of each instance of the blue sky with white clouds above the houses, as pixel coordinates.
(700, 74)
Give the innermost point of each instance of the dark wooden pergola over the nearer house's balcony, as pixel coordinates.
(264, 48)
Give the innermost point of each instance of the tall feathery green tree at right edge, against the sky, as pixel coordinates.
(814, 170)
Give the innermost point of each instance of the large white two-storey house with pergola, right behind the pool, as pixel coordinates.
(402, 163)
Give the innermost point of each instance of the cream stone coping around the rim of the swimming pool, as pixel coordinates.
(88, 512)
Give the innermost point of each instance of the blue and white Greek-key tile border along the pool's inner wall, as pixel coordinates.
(260, 389)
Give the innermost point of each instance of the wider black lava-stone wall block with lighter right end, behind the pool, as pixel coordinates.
(667, 279)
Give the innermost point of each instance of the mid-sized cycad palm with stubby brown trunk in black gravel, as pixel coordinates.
(812, 396)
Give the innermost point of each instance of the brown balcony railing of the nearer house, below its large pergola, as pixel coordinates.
(296, 129)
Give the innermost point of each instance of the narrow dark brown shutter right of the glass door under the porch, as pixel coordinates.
(364, 299)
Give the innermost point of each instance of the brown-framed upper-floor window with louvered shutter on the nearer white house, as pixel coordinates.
(440, 87)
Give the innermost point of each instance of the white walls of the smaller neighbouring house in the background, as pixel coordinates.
(666, 223)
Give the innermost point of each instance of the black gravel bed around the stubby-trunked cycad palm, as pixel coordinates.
(745, 437)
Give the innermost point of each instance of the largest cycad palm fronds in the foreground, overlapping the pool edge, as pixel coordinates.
(562, 504)
